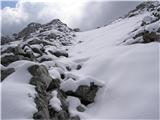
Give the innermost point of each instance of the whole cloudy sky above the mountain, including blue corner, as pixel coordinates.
(85, 15)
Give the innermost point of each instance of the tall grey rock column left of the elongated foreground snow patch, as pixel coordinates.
(41, 81)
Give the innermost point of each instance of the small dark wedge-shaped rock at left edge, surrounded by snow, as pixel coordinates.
(6, 72)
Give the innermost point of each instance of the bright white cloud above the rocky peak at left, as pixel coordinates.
(26, 11)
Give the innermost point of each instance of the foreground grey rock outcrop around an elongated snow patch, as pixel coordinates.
(44, 85)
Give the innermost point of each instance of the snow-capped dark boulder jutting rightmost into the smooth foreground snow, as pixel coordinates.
(84, 89)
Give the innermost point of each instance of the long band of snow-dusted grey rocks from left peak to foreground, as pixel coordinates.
(42, 44)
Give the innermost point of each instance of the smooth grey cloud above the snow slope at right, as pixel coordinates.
(102, 13)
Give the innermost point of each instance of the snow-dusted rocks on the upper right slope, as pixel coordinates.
(149, 30)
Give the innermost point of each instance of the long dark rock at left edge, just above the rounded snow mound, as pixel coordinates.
(6, 60)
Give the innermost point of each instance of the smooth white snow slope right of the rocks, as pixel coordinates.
(130, 72)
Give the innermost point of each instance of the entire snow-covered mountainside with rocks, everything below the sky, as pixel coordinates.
(53, 72)
